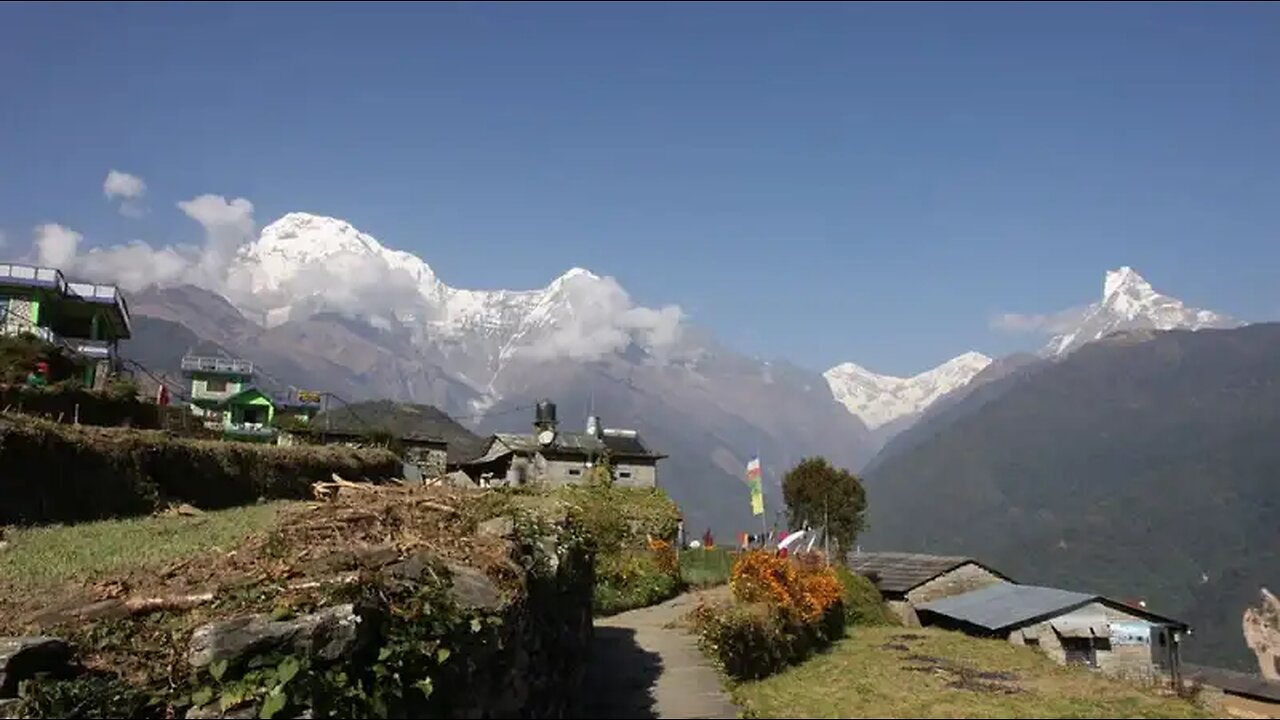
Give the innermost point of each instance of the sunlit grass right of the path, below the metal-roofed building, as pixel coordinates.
(888, 673)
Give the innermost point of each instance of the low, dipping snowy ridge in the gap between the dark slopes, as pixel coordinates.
(880, 400)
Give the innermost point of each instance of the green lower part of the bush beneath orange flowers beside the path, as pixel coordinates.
(753, 641)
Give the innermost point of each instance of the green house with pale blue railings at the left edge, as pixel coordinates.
(86, 318)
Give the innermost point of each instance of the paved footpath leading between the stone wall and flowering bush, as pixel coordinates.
(641, 668)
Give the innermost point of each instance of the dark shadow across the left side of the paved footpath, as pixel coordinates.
(620, 677)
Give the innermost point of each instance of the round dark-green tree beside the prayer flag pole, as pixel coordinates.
(816, 491)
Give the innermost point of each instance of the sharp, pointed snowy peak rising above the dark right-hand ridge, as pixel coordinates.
(1131, 304)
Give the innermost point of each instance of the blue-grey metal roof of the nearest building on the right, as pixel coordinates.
(1005, 605)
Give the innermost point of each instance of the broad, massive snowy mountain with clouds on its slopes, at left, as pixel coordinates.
(303, 265)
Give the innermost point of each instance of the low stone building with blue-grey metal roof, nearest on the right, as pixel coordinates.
(1069, 627)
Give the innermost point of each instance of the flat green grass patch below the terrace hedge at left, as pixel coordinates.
(52, 557)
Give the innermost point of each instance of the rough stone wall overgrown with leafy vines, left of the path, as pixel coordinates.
(476, 649)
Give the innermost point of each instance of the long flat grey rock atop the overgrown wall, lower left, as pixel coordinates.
(327, 635)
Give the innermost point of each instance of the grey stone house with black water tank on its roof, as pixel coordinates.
(552, 457)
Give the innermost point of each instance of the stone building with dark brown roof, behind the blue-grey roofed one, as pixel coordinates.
(909, 580)
